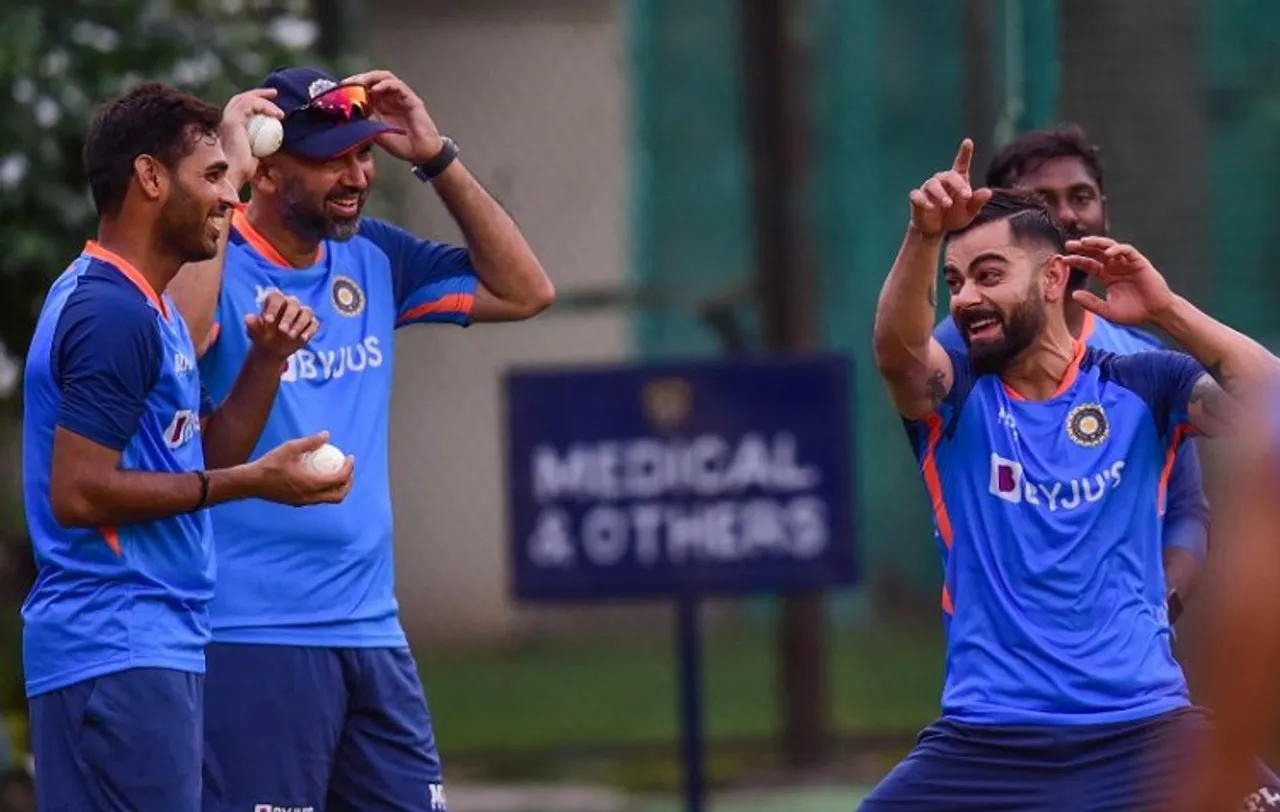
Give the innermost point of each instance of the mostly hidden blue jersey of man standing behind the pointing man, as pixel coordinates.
(1187, 510)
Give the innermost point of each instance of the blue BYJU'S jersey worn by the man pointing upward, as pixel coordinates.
(1050, 519)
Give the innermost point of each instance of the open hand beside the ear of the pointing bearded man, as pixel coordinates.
(1136, 293)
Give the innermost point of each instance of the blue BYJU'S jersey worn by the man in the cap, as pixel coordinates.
(323, 576)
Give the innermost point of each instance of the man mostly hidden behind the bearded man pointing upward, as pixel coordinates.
(1064, 168)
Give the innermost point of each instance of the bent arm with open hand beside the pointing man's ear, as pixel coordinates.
(1236, 367)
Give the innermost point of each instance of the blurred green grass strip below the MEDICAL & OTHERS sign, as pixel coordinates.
(624, 692)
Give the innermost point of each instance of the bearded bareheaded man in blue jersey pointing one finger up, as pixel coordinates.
(1046, 464)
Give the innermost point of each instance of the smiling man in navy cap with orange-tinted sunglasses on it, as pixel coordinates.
(314, 699)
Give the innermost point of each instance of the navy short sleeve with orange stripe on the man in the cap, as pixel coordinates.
(433, 281)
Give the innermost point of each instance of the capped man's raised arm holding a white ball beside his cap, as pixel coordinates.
(196, 288)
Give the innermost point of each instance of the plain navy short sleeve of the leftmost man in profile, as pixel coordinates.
(107, 359)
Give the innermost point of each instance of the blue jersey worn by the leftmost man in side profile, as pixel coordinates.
(113, 363)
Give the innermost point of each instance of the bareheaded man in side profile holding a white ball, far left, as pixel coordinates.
(124, 453)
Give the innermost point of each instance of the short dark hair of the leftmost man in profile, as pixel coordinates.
(149, 120)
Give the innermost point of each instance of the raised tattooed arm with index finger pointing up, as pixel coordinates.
(916, 368)
